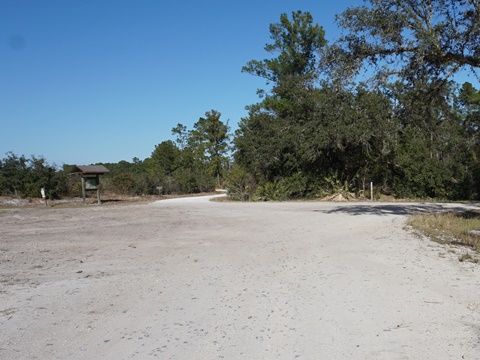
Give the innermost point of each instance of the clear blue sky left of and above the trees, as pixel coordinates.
(86, 81)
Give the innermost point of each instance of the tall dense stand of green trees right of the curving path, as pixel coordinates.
(414, 137)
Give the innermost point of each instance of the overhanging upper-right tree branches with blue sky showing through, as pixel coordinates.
(401, 38)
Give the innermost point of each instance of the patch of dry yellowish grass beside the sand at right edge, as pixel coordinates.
(450, 228)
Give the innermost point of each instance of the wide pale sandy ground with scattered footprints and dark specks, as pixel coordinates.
(193, 279)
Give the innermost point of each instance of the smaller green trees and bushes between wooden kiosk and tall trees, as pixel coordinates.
(189, 164)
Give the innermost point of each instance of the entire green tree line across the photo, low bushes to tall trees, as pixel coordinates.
(379, 105)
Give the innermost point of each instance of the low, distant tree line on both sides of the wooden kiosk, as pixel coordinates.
(194, 162)
